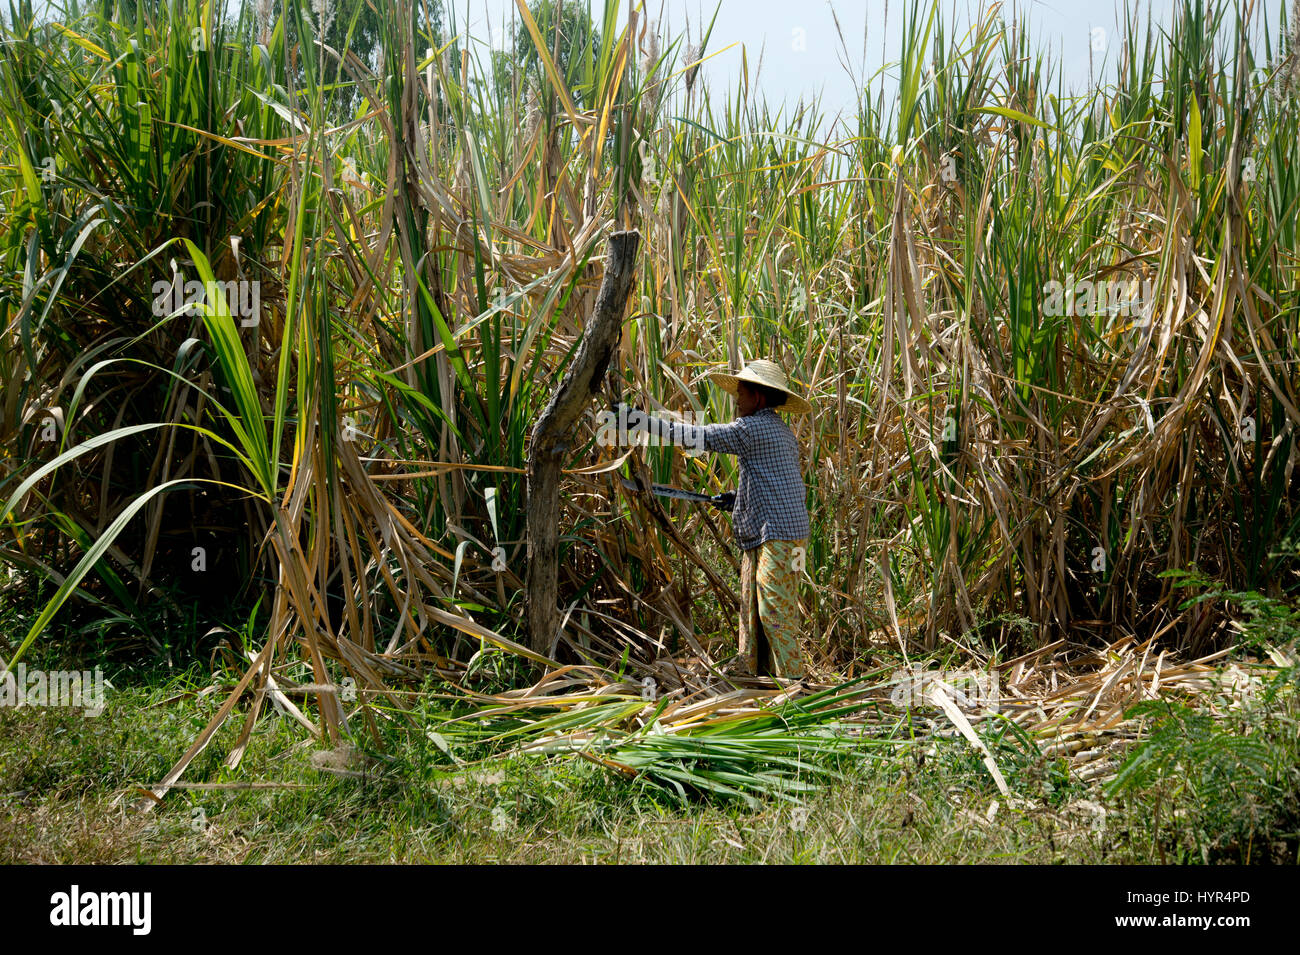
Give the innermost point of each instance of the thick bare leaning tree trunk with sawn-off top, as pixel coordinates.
(553, 435)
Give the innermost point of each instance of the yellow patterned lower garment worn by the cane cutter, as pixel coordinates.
(770, 609)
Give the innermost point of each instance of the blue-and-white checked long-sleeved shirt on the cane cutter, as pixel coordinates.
(770, 501)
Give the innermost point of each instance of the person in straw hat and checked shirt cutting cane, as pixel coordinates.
(770, 518)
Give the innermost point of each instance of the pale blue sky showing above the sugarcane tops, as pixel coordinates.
(803, 54)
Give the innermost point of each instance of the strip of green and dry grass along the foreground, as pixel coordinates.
(1188, 797)
